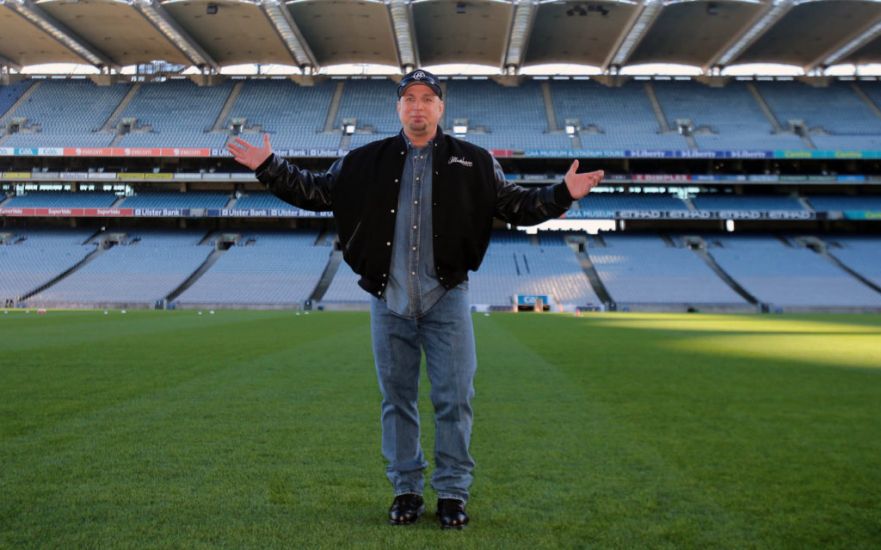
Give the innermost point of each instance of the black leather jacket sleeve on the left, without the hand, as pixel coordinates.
(302, 188)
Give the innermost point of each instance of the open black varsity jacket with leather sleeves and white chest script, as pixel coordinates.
(362, 191)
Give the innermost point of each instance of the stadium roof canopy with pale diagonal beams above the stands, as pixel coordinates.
(508, 34)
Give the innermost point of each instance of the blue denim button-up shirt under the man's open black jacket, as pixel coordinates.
(413, 285)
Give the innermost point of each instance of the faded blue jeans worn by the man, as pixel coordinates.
(446, 334)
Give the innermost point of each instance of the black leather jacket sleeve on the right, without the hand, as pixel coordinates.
(521, 206)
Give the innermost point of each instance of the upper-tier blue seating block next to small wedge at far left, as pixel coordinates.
(66, 113)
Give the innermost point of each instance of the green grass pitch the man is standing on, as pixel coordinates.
(261, 429)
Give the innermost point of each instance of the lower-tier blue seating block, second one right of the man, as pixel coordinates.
(645, 272)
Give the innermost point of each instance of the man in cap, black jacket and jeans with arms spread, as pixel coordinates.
(414, 214)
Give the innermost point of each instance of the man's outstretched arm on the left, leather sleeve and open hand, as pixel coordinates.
(298, 187)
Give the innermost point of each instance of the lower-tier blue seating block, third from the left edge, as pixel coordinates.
(263, 269)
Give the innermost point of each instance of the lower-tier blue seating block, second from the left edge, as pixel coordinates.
(141, 270)
